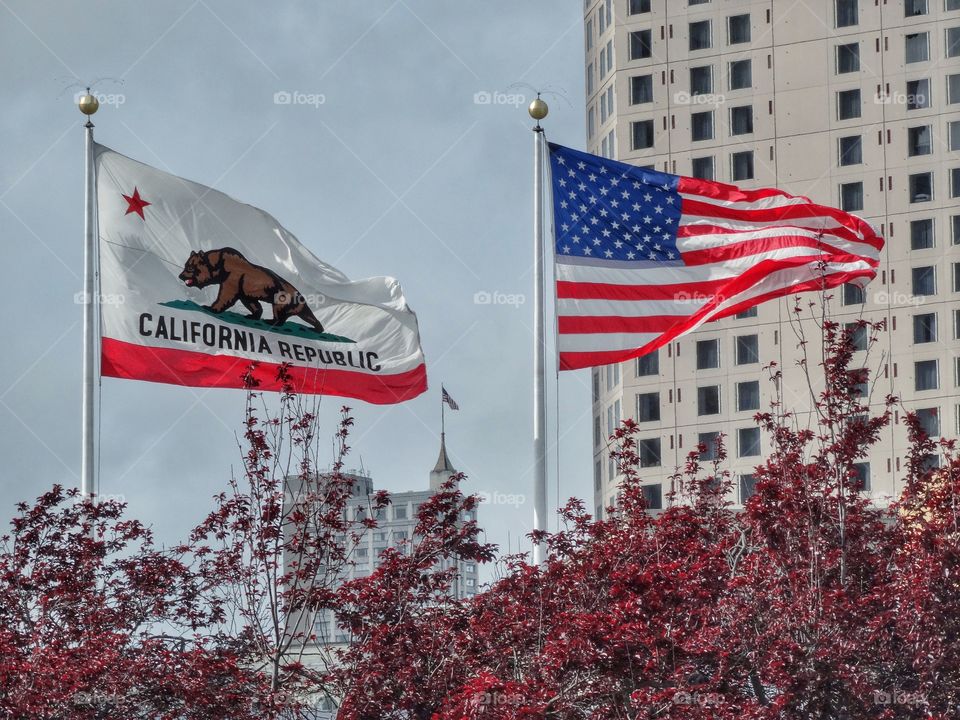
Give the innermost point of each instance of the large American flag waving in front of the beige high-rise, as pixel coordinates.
(643, 257)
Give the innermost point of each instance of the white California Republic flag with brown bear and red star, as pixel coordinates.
(196, 286)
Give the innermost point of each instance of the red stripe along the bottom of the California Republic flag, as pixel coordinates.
(194, 369)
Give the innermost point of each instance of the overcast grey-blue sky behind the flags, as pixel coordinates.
(387, 163)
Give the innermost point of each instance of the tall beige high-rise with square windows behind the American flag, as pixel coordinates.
(853, 103)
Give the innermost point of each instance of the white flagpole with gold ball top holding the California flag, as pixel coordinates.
(88, 106)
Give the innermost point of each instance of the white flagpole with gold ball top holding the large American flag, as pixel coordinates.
(538, 110)
